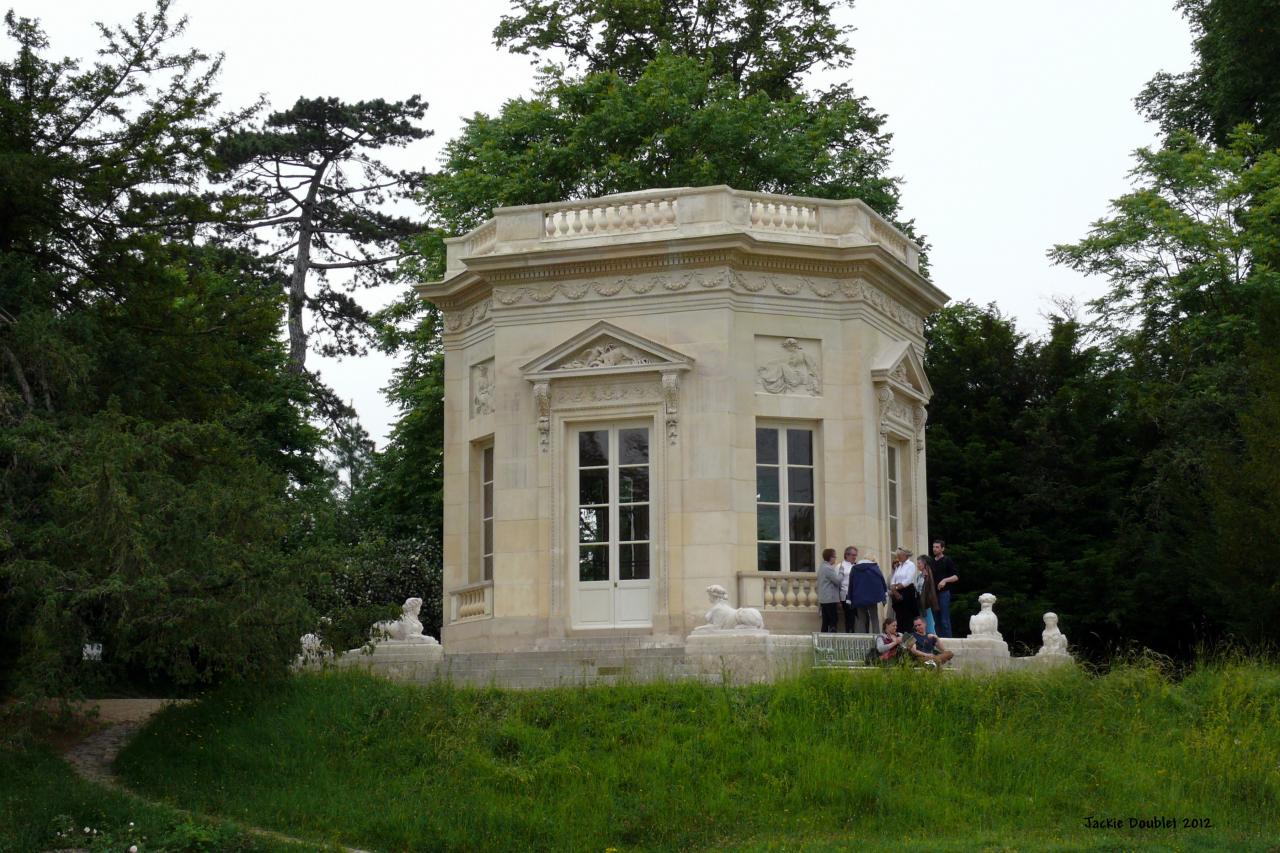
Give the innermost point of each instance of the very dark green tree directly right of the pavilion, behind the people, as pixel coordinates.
(1025, 467)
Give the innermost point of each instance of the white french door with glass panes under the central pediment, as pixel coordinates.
(611, 527)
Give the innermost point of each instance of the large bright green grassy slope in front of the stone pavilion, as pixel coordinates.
(889, 760)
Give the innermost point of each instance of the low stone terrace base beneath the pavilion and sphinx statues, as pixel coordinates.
(714, 659)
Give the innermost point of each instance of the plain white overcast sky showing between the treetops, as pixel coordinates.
(1013, 121)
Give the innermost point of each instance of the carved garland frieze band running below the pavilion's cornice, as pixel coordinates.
(856, 290)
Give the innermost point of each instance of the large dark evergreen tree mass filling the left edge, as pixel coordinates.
(157, 466)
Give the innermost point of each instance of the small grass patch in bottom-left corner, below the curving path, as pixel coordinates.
(45, 806)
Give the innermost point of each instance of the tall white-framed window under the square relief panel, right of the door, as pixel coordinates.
(785, 503)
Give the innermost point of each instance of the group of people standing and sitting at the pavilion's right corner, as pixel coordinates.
(918, 592)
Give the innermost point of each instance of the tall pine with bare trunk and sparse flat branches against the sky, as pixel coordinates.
(309, 176)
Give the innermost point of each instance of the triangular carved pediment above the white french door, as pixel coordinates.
(606, 349)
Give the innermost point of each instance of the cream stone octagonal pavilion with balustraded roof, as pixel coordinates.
(648, 394)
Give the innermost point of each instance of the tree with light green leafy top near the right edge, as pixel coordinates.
(1186, 254)
